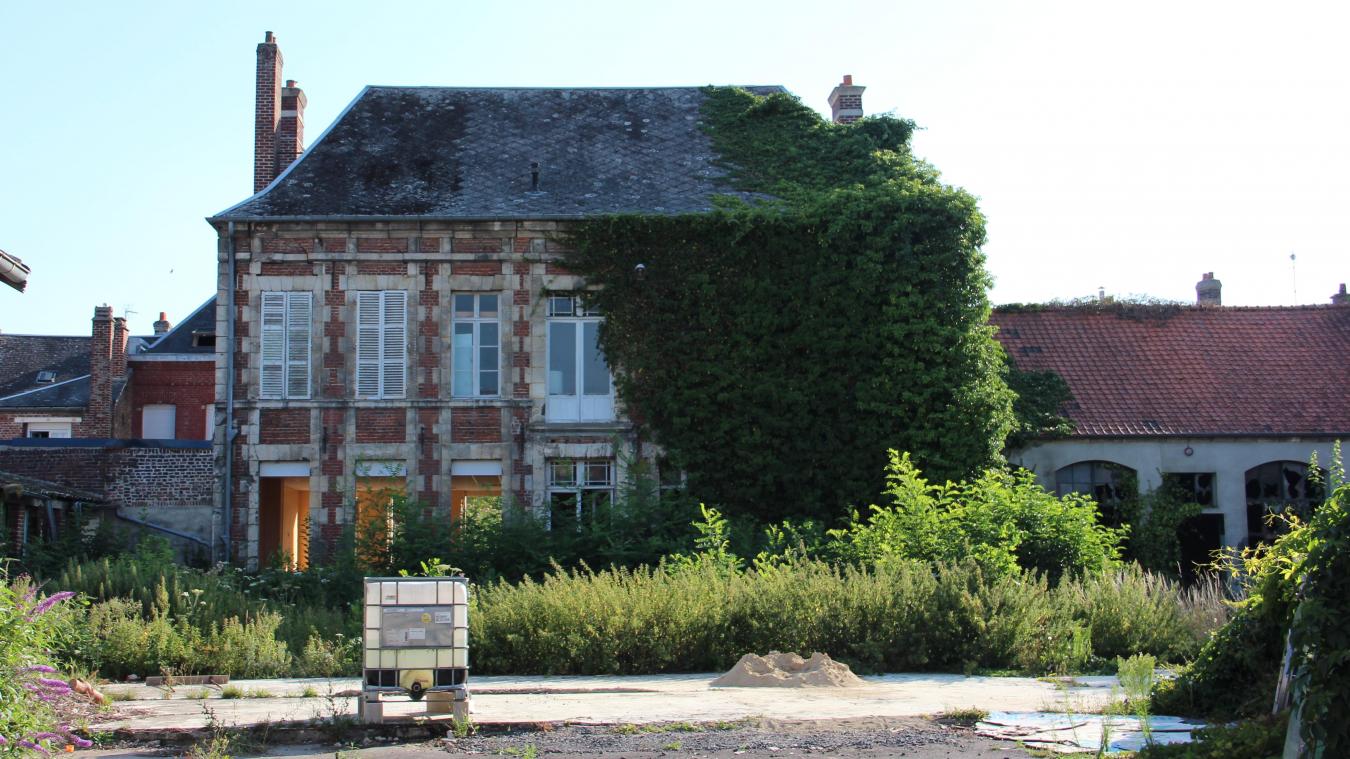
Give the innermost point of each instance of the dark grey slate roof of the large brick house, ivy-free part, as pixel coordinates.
(466, 153)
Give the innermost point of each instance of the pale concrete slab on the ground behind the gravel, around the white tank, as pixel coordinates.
(605, 700)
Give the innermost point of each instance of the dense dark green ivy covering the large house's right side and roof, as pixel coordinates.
(782, 344)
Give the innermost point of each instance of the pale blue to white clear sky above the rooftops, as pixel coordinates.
(1124, 147)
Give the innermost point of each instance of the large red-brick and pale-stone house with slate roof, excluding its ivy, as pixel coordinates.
(399, 310)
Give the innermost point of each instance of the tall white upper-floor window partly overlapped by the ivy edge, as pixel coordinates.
(580, 388)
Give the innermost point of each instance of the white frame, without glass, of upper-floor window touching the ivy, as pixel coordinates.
(580, 406)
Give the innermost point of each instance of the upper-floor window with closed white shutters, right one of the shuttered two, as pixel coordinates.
(381, 344)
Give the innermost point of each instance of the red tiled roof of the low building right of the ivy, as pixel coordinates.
(1190, 371)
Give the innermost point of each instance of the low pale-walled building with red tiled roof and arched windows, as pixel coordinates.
(1229, 404)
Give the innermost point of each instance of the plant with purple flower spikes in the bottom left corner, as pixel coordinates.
(32, 693)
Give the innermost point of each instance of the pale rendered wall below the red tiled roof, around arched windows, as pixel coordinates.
(1228, 459)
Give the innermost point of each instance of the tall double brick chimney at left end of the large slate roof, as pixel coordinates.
(279, 117)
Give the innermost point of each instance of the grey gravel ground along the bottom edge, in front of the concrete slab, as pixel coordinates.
(751, 739)
